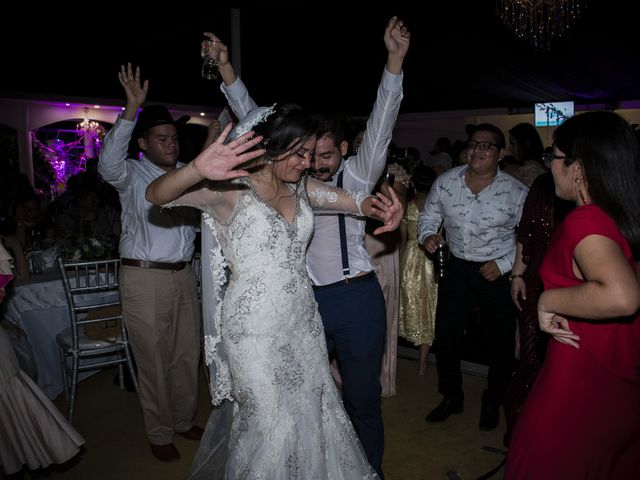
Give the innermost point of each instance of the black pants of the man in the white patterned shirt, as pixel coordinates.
(459, 291)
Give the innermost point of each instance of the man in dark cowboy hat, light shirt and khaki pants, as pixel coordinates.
(160, 304)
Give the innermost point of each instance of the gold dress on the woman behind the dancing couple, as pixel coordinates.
(418, 287)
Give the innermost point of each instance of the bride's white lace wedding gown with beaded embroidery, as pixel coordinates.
(288, 420)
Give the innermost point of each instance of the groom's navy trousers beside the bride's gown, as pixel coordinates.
(354, 317)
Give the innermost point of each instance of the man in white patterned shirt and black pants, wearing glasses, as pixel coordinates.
(479, 207)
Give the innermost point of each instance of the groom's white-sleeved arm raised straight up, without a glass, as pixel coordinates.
(369, 163)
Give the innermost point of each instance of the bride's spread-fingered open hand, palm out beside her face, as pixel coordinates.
(219, 161)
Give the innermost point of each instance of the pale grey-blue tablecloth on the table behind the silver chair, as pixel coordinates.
(40, 308)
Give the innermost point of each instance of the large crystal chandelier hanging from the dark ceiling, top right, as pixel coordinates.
(539, 22)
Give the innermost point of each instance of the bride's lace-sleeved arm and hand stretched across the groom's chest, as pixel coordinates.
(388, 210)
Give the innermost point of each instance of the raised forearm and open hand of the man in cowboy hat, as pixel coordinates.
(112, 165)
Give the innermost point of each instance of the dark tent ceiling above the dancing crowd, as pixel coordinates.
(329, 59)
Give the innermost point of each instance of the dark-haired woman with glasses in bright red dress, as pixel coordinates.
(582, 418)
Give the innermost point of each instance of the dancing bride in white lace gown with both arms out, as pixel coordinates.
(288, 420)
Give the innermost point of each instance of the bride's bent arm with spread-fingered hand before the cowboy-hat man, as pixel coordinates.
(217, 162)
